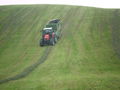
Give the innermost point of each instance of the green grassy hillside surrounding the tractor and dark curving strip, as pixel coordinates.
(86, 57)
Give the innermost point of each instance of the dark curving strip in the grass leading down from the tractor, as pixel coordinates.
(30, 68)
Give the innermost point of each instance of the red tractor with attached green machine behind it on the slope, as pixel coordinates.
(51, 33)
